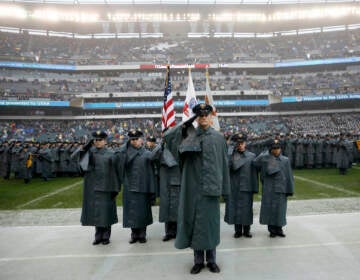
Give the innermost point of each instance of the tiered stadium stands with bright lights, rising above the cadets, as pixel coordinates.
(106, 62)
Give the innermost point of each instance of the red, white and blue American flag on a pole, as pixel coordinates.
(168, 112)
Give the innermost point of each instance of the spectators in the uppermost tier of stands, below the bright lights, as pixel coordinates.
(43, 49)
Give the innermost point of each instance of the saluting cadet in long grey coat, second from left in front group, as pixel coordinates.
(138, 180)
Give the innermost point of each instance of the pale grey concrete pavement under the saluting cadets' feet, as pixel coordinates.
(317, 246)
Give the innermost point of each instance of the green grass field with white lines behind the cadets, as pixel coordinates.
(14, 193)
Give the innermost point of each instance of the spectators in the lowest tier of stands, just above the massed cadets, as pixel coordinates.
(255, 127)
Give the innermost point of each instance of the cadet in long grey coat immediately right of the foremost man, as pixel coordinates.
(244, 183)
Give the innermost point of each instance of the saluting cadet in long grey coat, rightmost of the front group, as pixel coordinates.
(277, 184)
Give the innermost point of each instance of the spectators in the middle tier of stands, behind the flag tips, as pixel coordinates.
(24, 85)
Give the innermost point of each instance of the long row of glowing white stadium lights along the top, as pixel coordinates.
(278, 14)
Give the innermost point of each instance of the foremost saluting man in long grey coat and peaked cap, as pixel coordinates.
(204, 178)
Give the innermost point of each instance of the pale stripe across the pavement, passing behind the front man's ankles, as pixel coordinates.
(178, 252)
